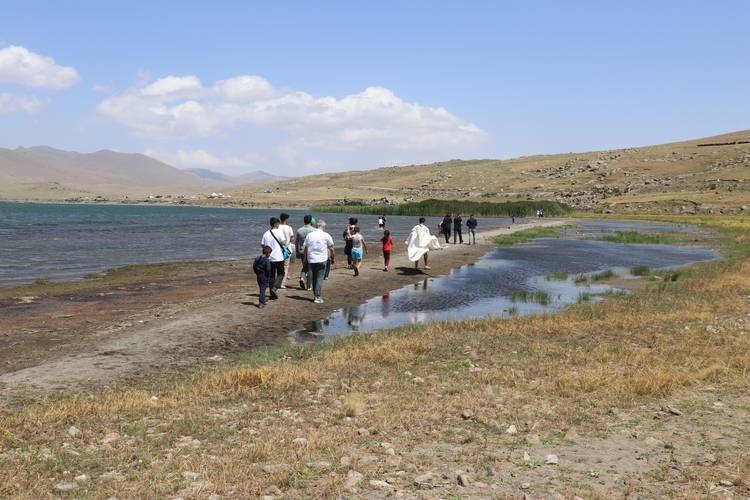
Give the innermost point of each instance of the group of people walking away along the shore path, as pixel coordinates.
(315, 249)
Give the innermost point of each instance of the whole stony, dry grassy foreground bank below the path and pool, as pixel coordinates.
(305, 421)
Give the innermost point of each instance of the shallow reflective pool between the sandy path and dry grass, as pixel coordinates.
(506, 282)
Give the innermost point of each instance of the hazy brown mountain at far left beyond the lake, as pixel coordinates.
(104, 170)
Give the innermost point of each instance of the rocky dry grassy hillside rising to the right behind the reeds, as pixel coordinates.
(701, 175)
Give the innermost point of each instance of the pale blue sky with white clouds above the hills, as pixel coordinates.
(297, 88)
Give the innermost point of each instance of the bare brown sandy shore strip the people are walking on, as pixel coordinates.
(107, 335)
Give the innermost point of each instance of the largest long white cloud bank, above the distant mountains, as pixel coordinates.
(179, 106)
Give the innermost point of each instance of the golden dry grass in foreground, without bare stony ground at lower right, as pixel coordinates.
(409, 387)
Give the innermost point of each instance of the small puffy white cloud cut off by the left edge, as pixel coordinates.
(20, 66)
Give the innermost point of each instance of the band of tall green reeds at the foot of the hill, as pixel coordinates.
(441, 207)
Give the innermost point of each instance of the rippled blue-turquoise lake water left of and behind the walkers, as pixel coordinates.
(66, 241)
